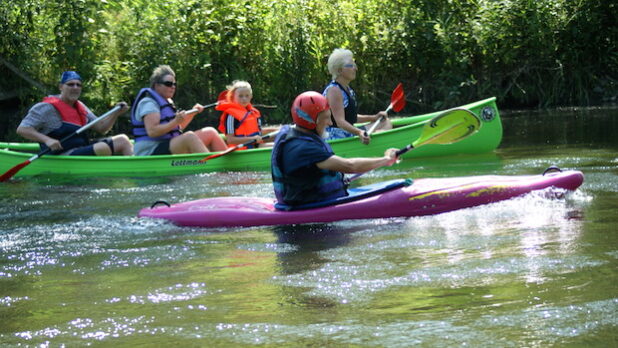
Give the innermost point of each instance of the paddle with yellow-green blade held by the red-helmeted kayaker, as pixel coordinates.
(449, 127)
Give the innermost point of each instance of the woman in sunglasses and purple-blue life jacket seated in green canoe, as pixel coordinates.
(157, 125)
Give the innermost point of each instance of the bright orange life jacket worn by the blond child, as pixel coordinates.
(247, 116)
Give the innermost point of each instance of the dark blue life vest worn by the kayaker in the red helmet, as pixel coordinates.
(311, 184)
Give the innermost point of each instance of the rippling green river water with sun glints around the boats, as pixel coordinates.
(78, 268)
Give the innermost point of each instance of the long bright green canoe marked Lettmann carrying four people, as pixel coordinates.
(406, 130)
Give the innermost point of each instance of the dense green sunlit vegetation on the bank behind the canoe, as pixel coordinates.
(446, 52)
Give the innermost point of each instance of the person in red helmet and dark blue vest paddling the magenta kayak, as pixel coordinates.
(304, 167)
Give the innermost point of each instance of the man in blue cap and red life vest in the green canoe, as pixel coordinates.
(58, 116)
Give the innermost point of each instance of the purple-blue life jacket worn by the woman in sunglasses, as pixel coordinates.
(167, 113)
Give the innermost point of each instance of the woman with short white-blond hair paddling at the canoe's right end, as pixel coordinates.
(342, 100)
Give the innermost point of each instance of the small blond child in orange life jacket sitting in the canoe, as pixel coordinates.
(240, 121)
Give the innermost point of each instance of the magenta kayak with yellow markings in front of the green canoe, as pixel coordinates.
(424, 197)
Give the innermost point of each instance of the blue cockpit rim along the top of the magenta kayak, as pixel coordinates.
(354, 194)
